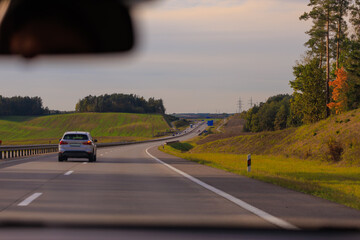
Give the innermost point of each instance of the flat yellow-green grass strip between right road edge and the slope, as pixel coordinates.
(336, 183)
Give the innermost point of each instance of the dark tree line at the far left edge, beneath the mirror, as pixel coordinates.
(25, 106)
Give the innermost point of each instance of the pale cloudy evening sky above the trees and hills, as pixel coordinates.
(196, 55)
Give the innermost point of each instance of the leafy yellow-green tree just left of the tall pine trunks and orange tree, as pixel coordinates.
(309, 91)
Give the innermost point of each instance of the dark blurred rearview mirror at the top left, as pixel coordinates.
(33, 27)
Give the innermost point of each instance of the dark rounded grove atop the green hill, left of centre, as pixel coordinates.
(128, 103)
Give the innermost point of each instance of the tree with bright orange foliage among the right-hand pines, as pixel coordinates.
(340, 87)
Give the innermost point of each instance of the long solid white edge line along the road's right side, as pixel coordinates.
(260, 213)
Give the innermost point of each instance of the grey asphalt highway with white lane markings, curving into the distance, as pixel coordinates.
(137, 186)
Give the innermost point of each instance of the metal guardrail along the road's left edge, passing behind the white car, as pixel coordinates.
(7, 152)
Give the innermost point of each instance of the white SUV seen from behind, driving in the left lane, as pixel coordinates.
(77, 145)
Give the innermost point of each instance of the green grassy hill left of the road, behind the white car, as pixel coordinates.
(106, 127)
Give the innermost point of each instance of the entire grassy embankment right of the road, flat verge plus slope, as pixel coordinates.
(299, 158)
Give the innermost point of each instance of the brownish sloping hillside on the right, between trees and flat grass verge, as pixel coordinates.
(321, 141)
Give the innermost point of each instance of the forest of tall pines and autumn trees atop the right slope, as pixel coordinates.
(326, 78)
